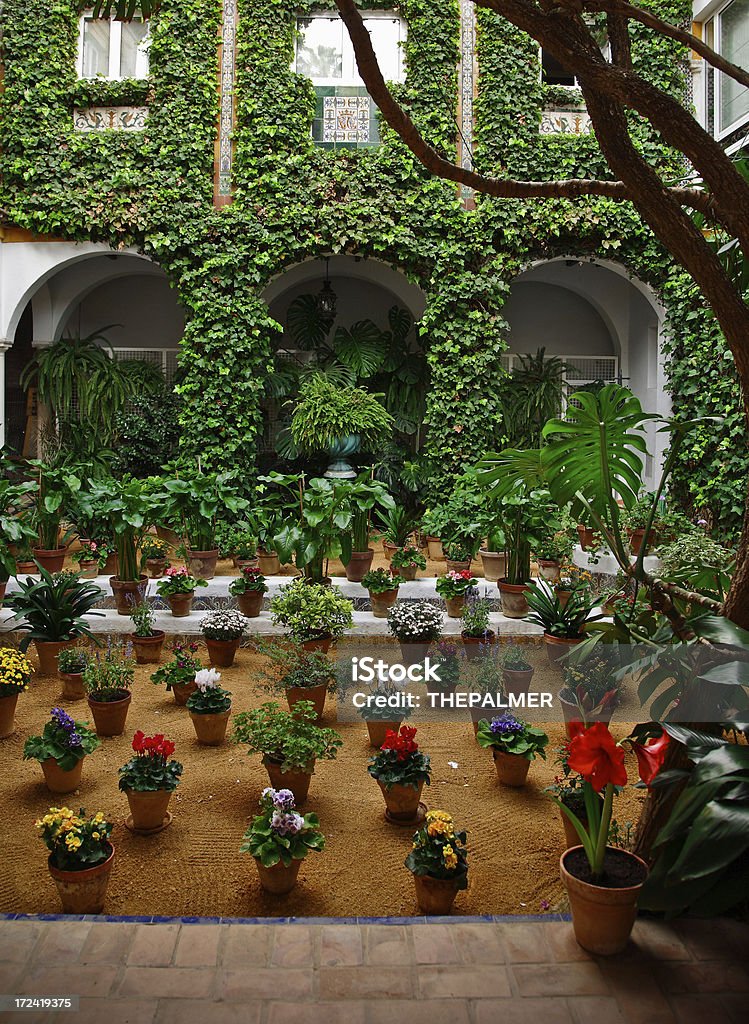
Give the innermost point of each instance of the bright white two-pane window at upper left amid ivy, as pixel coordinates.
(113, 50)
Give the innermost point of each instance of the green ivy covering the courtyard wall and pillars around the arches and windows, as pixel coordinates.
(293, 202)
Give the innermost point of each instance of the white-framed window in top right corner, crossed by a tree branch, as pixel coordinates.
(727, 103)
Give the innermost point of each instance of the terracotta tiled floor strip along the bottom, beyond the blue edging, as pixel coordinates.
(462, 973)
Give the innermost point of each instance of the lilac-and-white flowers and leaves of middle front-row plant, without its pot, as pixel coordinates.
(279, 834)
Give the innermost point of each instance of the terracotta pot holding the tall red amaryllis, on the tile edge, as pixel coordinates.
(602, 918)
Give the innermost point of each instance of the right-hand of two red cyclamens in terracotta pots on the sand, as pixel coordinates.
(401, 771)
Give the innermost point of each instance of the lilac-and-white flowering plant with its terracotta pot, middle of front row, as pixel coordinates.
(279, 839)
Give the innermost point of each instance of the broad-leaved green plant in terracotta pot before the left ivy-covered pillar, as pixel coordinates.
(195, 502)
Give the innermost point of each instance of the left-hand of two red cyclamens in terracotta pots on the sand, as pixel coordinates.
(149, 781)
